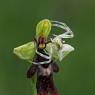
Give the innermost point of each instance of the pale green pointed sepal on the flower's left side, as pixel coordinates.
(26, 51)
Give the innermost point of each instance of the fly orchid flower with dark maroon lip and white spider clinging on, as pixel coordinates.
(43, 55)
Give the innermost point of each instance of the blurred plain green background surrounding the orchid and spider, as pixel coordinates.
(18, 19)
